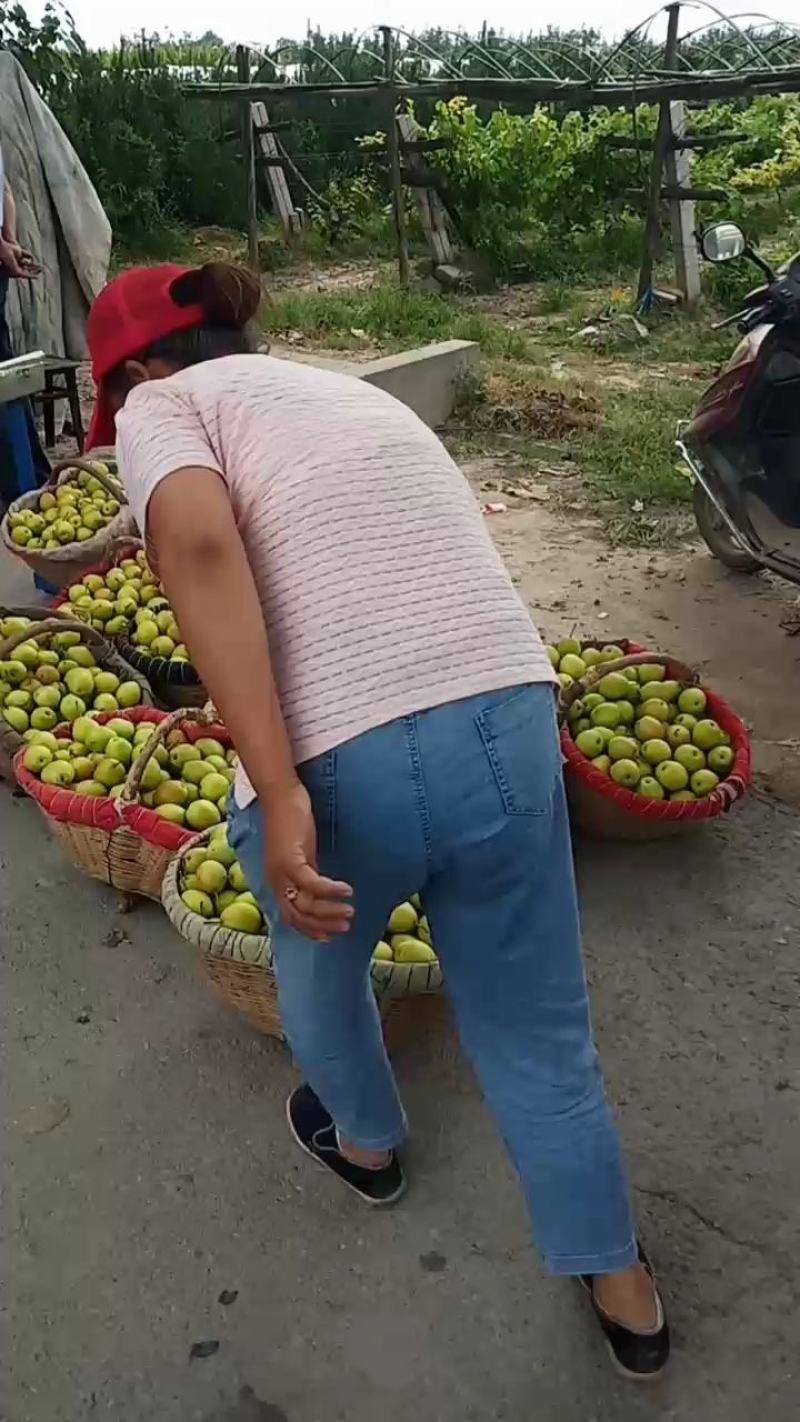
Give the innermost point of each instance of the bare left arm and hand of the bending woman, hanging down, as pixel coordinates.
(210, 584)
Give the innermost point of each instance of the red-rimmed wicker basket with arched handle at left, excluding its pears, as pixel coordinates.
(120, 841)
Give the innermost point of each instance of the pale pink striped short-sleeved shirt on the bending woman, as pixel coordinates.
(383, 592)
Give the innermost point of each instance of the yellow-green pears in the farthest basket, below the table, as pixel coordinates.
(72, 513)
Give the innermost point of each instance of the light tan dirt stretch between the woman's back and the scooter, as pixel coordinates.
(740, 632)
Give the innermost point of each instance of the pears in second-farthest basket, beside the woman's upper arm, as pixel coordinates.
(129, 602)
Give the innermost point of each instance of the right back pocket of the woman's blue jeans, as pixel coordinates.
(522, 743)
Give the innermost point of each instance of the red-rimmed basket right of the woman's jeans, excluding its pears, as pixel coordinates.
(605, 810)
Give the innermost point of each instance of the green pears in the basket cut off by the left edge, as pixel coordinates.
(56, 679)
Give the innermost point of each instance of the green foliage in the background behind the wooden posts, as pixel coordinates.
(536, 194)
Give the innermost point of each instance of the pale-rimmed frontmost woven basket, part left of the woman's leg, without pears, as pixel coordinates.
(249, 988)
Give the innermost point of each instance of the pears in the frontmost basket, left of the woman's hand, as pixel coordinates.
(214, 885)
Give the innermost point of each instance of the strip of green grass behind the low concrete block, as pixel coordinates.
(390, 316)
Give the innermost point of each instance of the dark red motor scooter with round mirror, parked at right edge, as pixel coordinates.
(742, 443)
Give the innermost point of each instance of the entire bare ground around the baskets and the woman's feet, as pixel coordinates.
(168, 1177)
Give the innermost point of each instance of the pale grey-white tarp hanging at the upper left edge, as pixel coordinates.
(59, 217)
